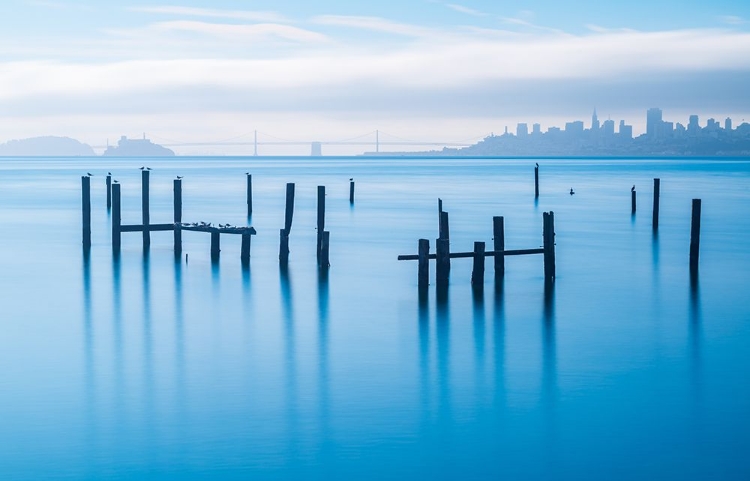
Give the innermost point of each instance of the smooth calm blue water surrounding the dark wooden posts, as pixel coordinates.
(147, 368)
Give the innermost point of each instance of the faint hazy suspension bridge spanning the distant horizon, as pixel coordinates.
(256, 139)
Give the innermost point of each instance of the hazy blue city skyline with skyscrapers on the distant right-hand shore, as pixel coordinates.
(606, 139)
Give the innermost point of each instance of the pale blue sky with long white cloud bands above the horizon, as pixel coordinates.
(329, 70)
